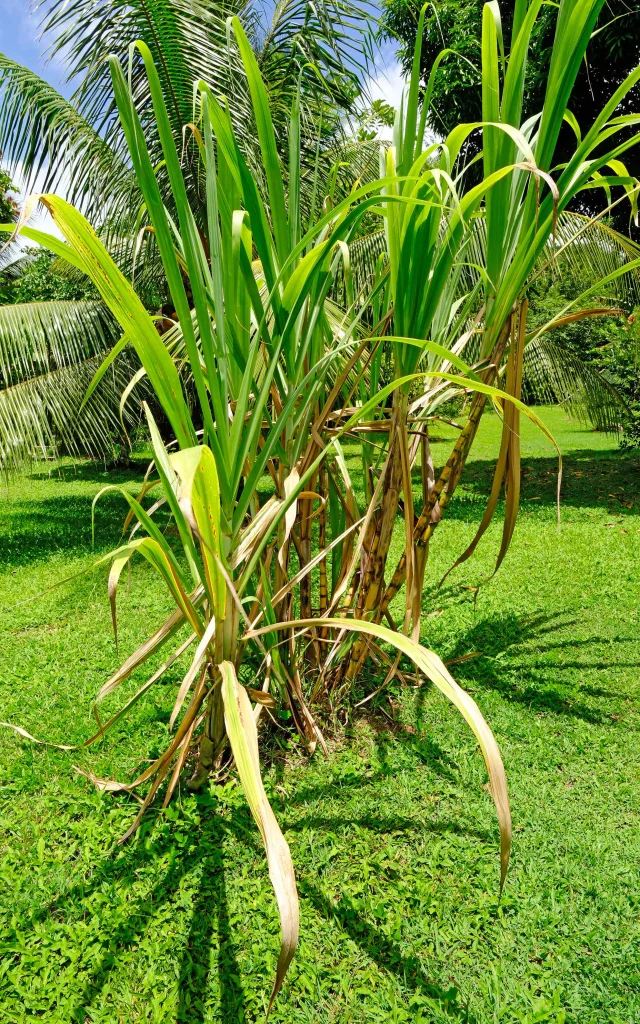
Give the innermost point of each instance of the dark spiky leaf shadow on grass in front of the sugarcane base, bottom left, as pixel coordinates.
(210, 915)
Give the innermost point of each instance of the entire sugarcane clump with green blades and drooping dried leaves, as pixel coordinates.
(281, 373)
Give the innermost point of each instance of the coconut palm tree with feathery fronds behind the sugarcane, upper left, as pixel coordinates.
(50, 352)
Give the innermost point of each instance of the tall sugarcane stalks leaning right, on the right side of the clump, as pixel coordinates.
(523, 196)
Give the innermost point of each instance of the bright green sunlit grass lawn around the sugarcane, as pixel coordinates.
(394, 837)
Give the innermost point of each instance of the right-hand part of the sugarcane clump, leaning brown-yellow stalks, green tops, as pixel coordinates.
(520, 203)
